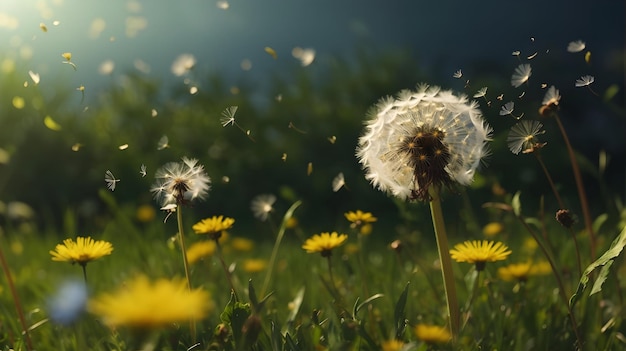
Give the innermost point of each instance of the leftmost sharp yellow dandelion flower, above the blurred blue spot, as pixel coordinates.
(81, 251)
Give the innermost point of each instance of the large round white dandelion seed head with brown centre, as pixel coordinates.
(420, 139)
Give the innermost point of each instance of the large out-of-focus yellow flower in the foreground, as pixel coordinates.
(143, 304)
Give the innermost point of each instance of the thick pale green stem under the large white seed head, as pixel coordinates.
(445, 260)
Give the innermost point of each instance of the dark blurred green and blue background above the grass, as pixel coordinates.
(91, 86)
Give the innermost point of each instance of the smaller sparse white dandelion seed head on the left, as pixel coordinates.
(180, 182)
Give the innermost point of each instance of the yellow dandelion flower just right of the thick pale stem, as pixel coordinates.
(479, 252)
